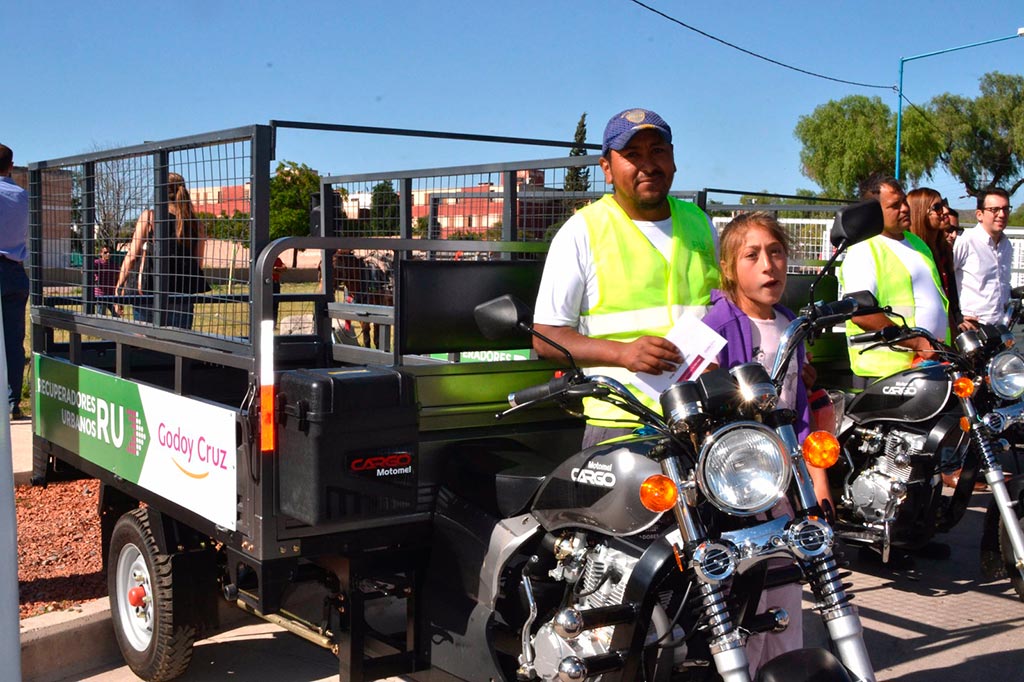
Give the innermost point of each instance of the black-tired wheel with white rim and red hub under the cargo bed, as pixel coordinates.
(154, 647)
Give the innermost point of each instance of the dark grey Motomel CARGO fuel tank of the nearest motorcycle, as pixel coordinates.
(600, 490)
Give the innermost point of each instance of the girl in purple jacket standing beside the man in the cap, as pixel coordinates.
(747, 314)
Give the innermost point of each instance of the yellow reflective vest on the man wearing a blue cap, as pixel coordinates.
(641, 293)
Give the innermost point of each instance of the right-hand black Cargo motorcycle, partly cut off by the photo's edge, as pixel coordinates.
(902, 433)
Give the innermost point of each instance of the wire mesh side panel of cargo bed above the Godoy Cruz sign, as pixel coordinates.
(157, 238)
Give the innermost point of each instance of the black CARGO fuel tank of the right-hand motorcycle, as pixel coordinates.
(912, 396)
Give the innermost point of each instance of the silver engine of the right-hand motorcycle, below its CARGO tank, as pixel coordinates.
(884, 484)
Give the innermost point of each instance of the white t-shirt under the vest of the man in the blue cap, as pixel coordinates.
(569, 285)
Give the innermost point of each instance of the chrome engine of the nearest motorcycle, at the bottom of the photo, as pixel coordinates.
(603, 583)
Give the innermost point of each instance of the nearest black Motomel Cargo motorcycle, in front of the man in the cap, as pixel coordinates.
(645, 559)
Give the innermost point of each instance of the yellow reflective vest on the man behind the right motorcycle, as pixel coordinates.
(895, 289)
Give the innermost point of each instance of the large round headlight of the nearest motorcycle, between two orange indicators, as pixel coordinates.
(744, 468)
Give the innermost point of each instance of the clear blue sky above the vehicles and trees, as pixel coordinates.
(79, 75)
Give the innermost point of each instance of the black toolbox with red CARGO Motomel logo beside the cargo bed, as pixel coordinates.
(348, 446)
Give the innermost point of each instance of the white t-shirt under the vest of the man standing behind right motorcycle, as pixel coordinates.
(860, 275)
